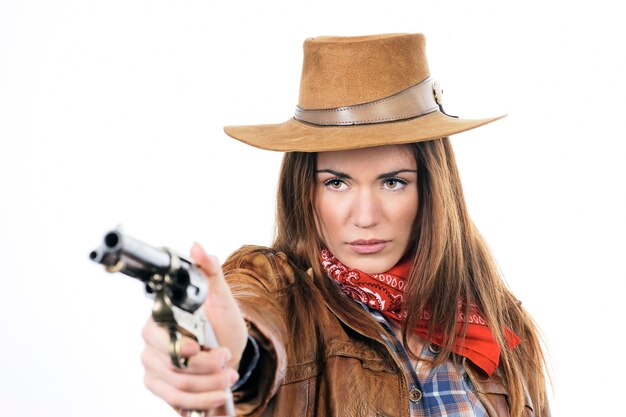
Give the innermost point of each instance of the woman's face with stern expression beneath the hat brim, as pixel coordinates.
(365, 205)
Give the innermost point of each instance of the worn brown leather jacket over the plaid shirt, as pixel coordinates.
(347, 371)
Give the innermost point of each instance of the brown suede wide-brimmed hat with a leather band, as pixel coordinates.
(359, 92)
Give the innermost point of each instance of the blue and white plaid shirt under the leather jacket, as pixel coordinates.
(443, 391)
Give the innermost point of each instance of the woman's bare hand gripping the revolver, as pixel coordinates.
(202, 385)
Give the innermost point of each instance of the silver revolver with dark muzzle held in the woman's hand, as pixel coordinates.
(178, 289)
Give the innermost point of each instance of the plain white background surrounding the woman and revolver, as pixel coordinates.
(112, 112)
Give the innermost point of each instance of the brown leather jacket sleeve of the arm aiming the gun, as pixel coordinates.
(257, 277)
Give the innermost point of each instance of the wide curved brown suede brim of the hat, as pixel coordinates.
(294, 135)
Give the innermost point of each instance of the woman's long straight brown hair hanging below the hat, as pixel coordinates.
(451, 264)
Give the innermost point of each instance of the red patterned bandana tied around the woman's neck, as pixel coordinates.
(385, 293)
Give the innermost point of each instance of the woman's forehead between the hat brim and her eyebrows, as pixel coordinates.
(379, 157)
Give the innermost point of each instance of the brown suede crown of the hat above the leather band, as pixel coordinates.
(345, 71)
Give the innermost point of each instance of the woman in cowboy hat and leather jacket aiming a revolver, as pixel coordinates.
(378, 297)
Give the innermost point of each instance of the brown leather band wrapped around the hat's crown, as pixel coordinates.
(418, 100)
